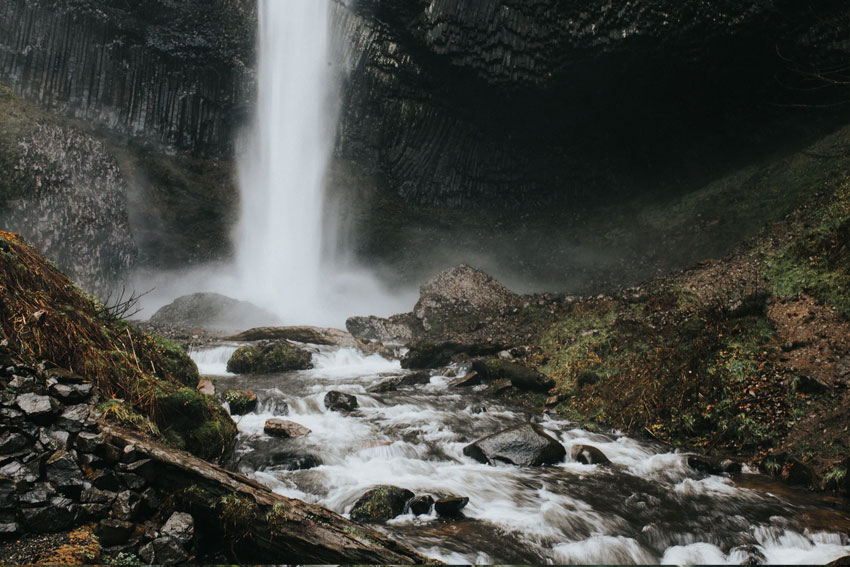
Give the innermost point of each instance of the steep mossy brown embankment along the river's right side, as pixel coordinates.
(746, 357)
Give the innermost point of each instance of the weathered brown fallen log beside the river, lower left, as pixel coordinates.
(257, 525)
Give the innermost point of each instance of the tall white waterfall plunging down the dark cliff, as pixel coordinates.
(281, 171)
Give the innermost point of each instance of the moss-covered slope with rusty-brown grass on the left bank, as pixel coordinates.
(146, 381)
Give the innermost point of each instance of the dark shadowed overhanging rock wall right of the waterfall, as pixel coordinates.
(499, 102)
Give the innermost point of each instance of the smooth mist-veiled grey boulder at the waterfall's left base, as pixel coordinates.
(211, 311)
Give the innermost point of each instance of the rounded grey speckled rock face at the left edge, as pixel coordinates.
(74, 206)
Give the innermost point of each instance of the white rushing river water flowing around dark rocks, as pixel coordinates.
(648, 506)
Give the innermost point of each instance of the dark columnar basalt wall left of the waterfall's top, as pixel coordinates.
(176, 72)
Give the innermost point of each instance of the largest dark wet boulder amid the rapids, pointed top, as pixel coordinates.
(524, 445)
